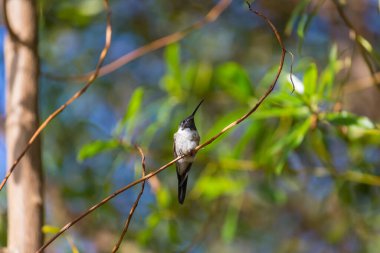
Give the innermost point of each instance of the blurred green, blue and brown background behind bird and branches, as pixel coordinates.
(302, 174)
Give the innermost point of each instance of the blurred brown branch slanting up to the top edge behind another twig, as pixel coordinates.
(211, 16)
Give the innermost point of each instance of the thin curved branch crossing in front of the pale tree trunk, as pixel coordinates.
(79, 93)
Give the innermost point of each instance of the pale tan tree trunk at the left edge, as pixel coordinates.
(24, 189)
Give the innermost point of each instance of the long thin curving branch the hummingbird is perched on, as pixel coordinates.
(142, 179)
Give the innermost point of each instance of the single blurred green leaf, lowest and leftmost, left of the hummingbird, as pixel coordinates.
(94, 148)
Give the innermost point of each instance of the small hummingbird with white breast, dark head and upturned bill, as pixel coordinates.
(186, 139)
